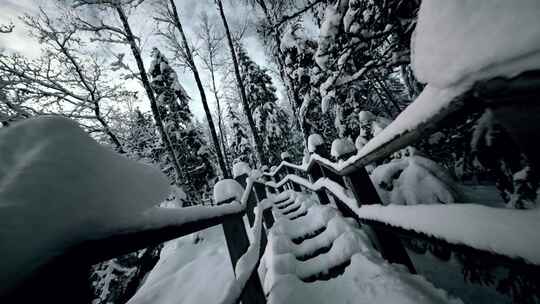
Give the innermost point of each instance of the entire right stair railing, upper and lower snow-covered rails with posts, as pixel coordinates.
(460, 229)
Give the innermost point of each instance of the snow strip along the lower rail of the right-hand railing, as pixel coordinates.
(483, 228)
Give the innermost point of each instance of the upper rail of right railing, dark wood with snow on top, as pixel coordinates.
(432, 109)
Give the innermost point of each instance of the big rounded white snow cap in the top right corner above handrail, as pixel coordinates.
(463, 41)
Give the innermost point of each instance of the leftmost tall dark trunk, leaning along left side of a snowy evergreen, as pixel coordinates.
(150, 93)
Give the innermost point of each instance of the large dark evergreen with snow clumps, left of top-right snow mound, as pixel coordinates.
(362, 45)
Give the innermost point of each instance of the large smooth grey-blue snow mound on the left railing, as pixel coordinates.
(59, 187)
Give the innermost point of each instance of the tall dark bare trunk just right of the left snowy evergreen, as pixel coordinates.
(191, 62)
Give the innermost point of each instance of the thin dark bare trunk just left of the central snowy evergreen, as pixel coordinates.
(258, 143)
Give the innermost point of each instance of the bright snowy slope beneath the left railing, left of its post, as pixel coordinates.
(189, 272)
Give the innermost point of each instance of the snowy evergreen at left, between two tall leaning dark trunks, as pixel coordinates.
(186, 138)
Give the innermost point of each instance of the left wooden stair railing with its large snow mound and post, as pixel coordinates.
(67, 202)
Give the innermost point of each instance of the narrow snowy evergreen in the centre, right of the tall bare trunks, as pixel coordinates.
(271, 121)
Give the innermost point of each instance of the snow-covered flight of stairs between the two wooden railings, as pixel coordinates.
(322, 257)
